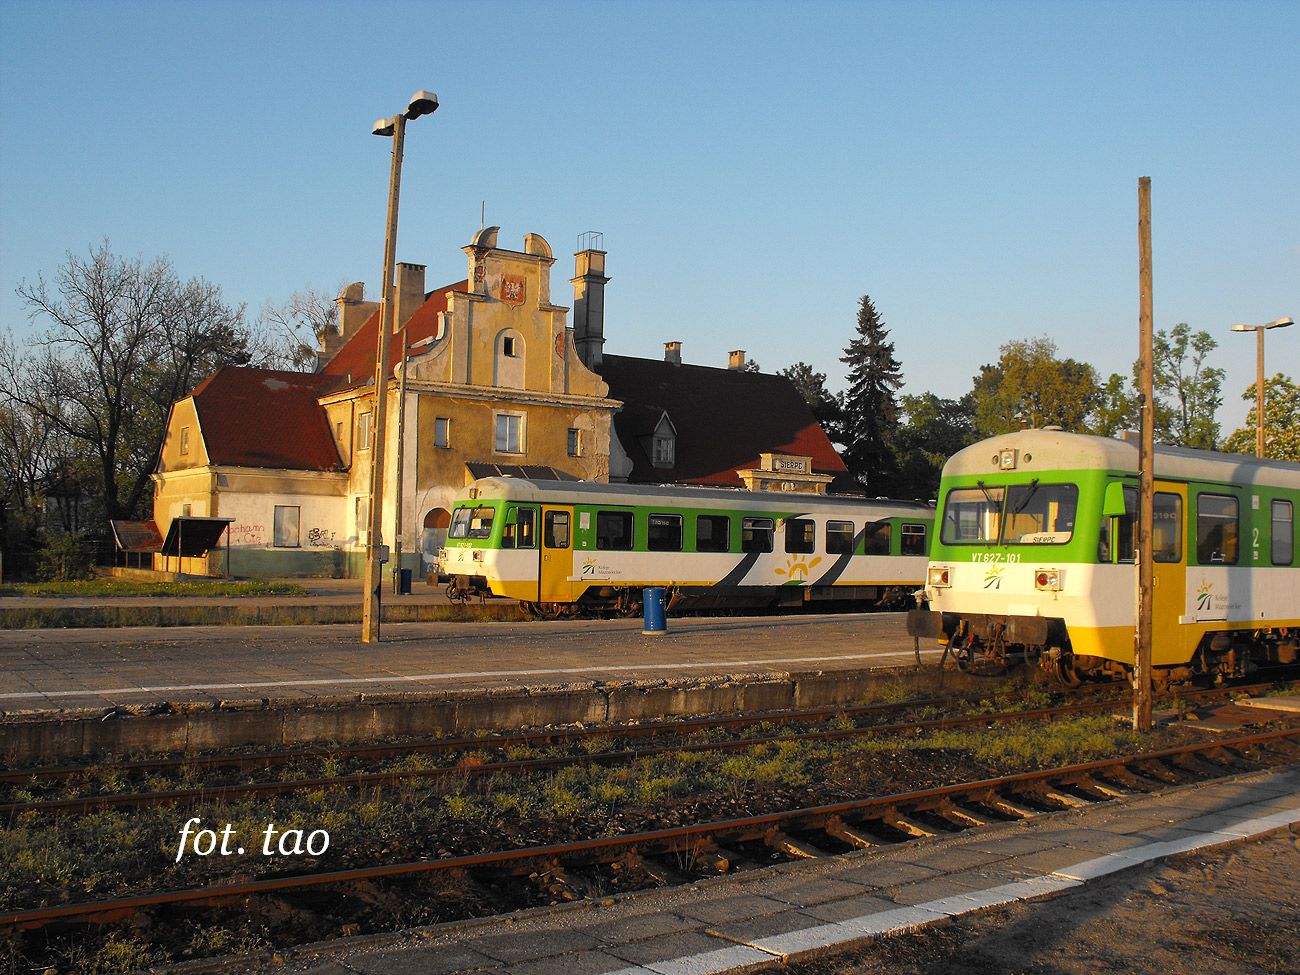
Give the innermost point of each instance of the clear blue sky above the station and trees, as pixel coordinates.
(755, 167)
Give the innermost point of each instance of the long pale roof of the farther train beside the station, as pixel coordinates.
(642, 495)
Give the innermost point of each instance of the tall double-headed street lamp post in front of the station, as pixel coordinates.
(423, 103)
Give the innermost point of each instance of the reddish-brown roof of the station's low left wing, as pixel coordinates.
(266, 418)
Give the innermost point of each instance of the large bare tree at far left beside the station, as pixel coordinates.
(123, 341)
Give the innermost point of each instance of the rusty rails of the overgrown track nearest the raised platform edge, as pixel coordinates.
(188, 798)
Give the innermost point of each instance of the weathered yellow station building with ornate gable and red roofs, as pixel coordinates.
(487, 378)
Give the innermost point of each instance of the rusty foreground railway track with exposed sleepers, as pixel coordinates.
(661, 856)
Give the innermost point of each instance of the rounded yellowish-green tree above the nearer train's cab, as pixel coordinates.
(1030, 387)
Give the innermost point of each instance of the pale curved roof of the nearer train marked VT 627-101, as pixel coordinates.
(1058, 450)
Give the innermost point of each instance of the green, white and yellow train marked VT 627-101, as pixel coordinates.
(1035, 558)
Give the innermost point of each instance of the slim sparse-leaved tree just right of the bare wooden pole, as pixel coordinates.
(1189, 392)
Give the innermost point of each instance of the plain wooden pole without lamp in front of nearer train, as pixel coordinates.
(1147, 469)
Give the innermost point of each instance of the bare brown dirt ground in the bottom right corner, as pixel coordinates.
(1227, 912)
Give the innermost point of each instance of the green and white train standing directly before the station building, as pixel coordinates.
(564, 547)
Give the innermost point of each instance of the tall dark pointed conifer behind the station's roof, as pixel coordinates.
(869, 406)
